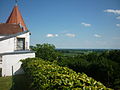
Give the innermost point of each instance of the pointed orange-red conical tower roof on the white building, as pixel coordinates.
(16, 18)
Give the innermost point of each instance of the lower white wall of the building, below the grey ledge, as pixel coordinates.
(13, 60)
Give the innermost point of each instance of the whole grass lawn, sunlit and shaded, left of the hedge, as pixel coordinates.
(19, 83)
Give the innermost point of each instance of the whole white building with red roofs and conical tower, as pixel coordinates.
(14, 44)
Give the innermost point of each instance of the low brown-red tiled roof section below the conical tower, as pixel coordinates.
(7, 29)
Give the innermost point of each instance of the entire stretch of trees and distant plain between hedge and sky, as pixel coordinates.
(102, 65)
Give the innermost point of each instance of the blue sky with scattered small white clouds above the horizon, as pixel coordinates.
(69, 23)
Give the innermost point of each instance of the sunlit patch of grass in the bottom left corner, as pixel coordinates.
(5, 83)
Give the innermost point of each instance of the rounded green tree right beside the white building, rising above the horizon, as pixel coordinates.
(46, 52)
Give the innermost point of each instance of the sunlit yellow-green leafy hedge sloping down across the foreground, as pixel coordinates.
(45, 75)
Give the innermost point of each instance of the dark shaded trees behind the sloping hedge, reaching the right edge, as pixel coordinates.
(105, 66)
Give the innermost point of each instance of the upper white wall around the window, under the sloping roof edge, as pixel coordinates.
(9, 45)
